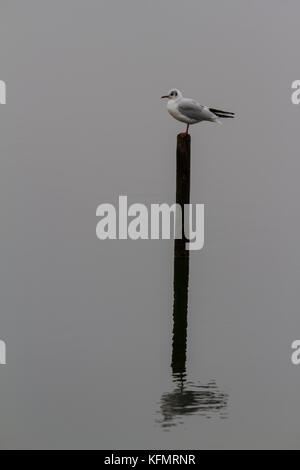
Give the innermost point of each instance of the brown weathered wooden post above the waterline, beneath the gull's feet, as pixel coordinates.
(183, 178)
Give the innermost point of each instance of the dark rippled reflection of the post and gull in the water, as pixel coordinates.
(187, 398)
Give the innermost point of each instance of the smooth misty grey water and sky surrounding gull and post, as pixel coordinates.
(88, 323)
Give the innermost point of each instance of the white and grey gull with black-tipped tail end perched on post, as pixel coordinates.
(190, 111)
